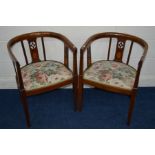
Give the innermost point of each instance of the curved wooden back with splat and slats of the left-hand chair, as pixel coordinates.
(31, 39)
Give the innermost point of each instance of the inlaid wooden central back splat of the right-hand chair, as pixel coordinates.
(119, 49)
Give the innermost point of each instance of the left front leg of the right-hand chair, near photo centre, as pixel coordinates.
(80, 95)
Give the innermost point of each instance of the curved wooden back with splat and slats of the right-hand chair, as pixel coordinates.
(121, 41)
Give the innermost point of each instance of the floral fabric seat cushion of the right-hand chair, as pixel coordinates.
(111, 73)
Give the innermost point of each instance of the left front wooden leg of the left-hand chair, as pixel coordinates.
(25, 106)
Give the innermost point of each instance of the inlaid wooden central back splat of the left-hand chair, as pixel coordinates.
(33, 50)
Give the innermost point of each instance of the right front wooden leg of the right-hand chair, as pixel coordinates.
(131, 108)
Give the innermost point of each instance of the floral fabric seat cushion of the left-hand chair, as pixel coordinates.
(44, 74)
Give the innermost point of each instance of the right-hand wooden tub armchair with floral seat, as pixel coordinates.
(116, 72)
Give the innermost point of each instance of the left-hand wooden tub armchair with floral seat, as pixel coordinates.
(38, 74)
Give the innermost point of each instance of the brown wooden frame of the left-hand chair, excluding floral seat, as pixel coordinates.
(31, 39)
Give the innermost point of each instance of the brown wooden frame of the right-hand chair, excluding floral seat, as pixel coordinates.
(121, 38)
